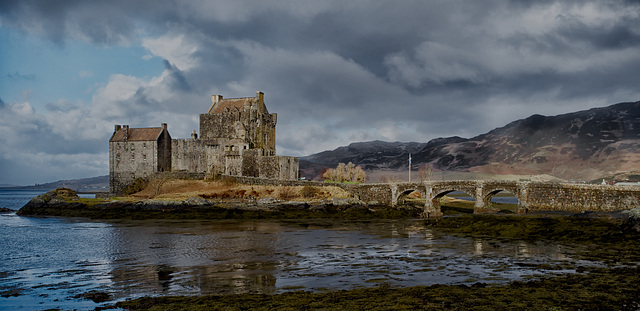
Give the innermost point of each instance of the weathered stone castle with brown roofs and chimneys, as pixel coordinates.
(237, 138)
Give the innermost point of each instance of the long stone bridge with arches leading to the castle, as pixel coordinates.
(532, 196)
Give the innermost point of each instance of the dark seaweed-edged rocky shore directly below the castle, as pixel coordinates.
(66, 203)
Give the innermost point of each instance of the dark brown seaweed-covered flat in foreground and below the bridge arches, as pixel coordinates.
(603, 273)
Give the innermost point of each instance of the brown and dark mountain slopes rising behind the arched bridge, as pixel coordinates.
(583, 145)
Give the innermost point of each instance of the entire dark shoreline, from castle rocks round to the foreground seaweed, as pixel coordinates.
(618, 233)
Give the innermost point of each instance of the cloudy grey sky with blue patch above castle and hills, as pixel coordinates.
(334, 71)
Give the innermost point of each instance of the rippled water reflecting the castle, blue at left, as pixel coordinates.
(49, 262)
